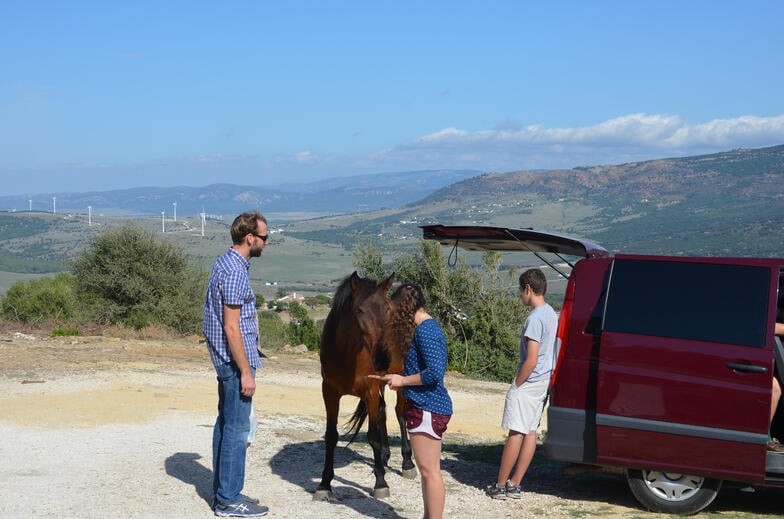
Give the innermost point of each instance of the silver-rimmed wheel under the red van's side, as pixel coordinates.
(672, 493)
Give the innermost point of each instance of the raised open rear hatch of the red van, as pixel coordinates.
(482, 237)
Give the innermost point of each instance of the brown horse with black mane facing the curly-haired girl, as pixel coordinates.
(353, 346)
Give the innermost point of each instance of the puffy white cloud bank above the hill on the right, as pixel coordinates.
(622, 139)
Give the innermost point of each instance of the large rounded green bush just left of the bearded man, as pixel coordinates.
(128, 275)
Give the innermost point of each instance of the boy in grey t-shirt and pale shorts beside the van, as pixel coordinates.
(525, 399)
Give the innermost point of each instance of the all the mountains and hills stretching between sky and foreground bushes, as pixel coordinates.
(722, 204)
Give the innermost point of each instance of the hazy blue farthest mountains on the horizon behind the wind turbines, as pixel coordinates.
(330, 196)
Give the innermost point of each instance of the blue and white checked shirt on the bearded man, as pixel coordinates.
(229, 284)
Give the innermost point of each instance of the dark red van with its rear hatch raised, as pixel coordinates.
(664, 365)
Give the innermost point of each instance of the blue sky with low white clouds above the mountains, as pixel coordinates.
(108, 95)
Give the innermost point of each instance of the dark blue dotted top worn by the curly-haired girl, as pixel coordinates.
(427, 357)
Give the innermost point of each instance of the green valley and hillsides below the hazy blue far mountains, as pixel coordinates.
(728, 204)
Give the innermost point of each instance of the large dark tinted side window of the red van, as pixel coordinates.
(699, 301)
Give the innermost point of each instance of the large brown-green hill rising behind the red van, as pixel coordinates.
(729, 203)
